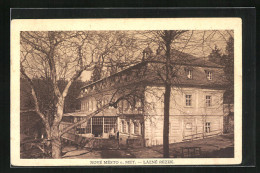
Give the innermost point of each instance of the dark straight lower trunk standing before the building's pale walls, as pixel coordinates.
(166, 121)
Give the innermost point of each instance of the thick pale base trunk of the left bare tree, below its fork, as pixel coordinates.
(56, 143)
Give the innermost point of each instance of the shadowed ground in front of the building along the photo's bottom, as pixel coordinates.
(214, 147)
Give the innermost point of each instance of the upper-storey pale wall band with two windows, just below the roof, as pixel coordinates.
(154, 101)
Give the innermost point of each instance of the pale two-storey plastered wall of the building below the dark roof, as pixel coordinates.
(180, 114)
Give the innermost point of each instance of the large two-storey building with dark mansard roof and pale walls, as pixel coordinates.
(196, 101)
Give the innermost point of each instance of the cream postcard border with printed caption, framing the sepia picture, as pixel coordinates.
(123, 24)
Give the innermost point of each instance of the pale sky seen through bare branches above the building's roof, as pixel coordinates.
(117, 46)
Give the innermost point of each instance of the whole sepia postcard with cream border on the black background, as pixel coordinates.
(123, 95)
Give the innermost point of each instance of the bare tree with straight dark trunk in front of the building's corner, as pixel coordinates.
(173, 46)
